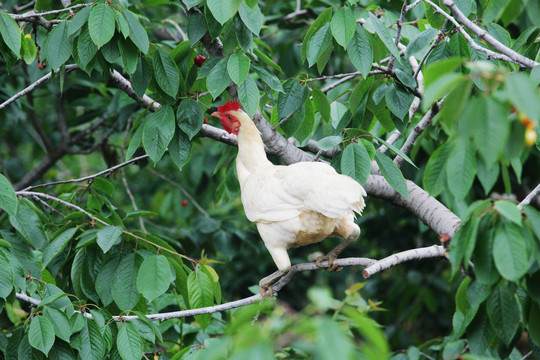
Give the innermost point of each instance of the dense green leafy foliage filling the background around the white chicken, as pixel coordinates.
(125, 243)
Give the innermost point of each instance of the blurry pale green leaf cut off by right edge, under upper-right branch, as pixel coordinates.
(524, 94)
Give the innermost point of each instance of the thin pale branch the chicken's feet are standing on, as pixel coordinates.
(374, 267)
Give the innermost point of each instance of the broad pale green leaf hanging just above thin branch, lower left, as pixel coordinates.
(154, 277)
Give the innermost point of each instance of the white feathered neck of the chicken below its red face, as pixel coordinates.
(251, 155)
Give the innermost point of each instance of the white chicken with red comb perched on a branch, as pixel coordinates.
(292, 205)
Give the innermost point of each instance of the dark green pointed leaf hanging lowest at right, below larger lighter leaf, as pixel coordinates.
(503, 312)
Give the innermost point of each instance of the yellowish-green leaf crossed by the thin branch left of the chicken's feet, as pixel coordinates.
(200, 294)
